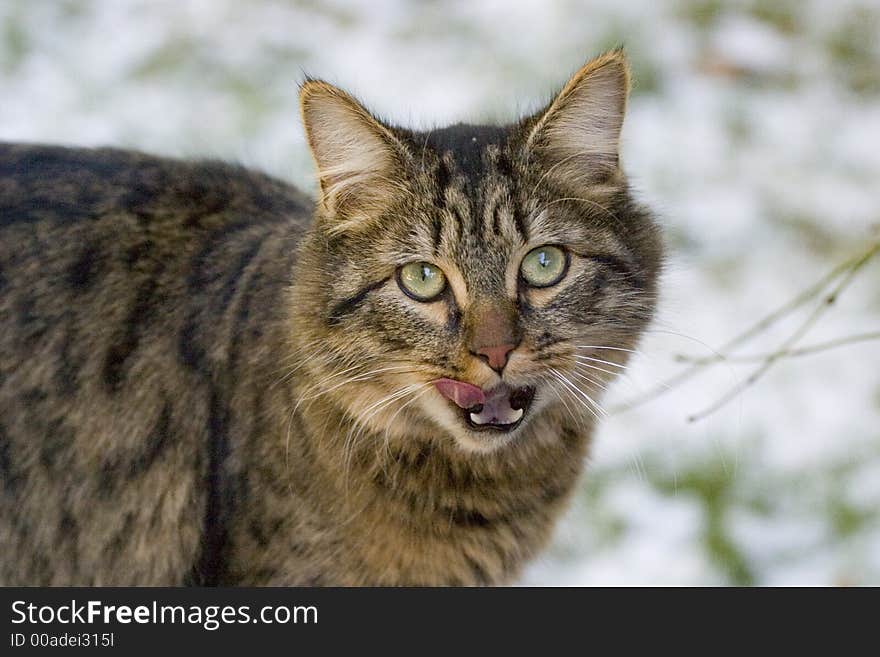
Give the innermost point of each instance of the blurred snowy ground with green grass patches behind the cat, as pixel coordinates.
(753, 129)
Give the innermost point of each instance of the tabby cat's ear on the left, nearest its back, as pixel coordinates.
(357, 157)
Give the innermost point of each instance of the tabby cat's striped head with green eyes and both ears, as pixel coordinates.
(462, 280)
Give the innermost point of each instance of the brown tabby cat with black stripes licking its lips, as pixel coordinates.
(208, 378)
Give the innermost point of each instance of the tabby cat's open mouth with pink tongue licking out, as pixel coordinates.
(500, 409)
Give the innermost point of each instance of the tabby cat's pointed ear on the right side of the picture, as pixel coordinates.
(578, 133)
